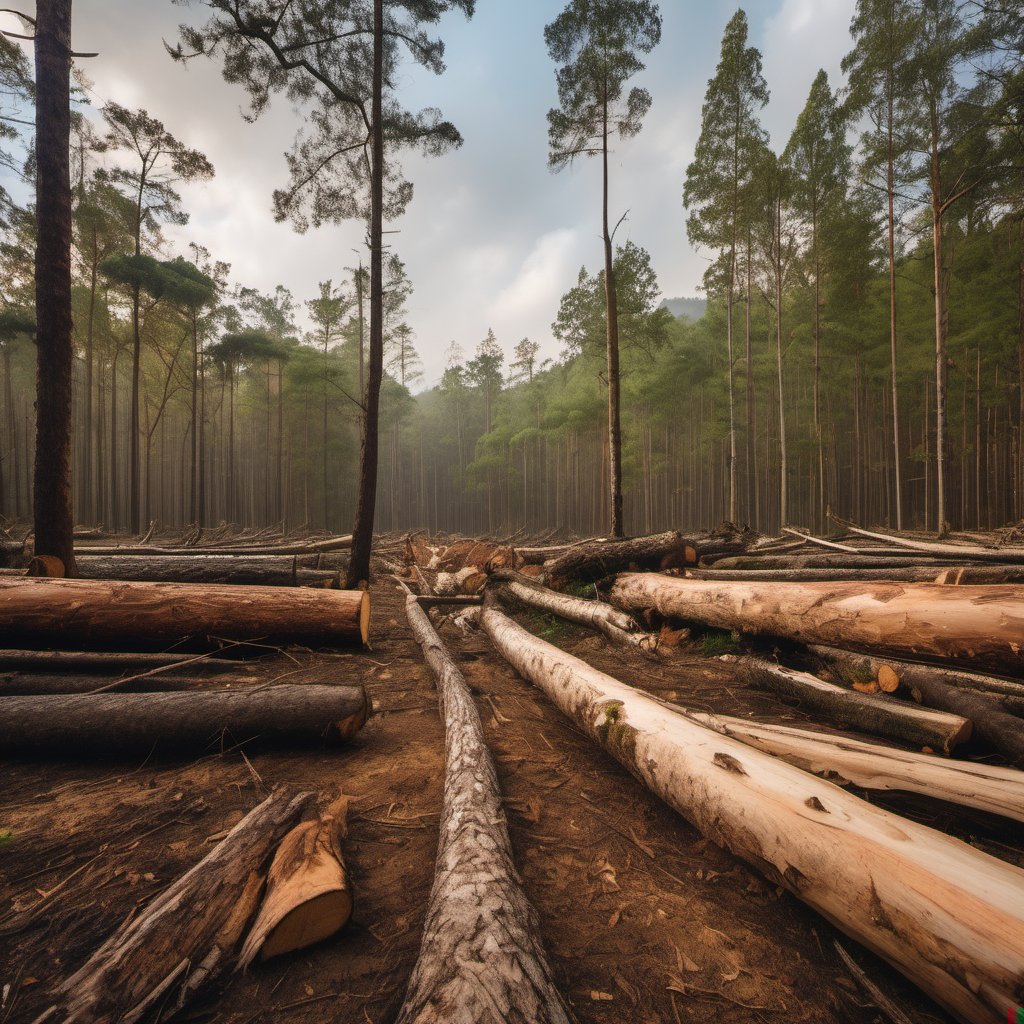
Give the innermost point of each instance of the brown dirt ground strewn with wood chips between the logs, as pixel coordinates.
(645, 921)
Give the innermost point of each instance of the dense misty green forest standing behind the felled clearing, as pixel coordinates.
(246, 407)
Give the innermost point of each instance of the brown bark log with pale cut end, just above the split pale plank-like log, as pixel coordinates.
(876, 714)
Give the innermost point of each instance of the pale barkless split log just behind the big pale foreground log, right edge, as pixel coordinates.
(996, 790)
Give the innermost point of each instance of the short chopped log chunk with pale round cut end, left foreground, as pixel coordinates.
(308, 897)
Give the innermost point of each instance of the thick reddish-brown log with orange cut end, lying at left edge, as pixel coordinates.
(46, 613)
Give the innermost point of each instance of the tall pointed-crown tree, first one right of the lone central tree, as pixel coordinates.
(718, 183)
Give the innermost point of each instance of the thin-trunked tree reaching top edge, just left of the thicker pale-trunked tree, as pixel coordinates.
(880, 81)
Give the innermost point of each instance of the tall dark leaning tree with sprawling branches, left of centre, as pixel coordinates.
(339, 59)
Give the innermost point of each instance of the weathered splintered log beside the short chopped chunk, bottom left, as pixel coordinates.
(192, 929)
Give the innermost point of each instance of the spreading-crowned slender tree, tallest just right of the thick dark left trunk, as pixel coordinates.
(160, 162)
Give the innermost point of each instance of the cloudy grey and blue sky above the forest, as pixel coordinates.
(492, 239)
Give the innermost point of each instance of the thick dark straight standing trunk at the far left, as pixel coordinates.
(53, 514)
